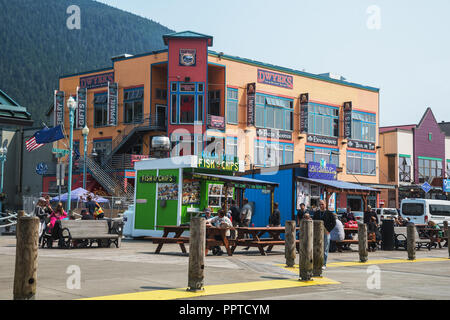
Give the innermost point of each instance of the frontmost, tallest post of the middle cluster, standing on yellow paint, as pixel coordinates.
(306, 250)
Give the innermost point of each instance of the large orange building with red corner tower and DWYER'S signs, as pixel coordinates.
(210, 103)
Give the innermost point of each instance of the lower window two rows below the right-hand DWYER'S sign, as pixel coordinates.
(268, 153)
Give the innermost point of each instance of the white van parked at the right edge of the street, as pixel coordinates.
(420, 211)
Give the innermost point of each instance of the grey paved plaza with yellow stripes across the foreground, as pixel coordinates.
(134, 268)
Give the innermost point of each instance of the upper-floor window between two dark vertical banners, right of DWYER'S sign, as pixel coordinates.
(323, 120)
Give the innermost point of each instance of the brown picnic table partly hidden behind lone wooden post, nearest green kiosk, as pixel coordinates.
(211, 240)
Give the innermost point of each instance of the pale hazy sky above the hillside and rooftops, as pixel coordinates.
(401, 47)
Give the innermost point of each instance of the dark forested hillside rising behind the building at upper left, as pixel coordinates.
(36, 45)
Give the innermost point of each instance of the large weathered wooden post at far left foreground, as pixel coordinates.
(25, 275)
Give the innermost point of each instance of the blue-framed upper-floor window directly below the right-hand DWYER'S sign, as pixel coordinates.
(274, 112)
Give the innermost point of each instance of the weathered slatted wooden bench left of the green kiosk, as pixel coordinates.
(83, 233)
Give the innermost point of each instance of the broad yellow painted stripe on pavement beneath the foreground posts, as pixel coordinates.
(181, 293)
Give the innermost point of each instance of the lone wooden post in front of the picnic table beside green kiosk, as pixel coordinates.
(197, 241)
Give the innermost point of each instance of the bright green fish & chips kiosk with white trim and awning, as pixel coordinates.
(170, 191)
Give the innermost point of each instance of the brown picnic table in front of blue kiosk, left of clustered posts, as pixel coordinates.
(252, 237)
